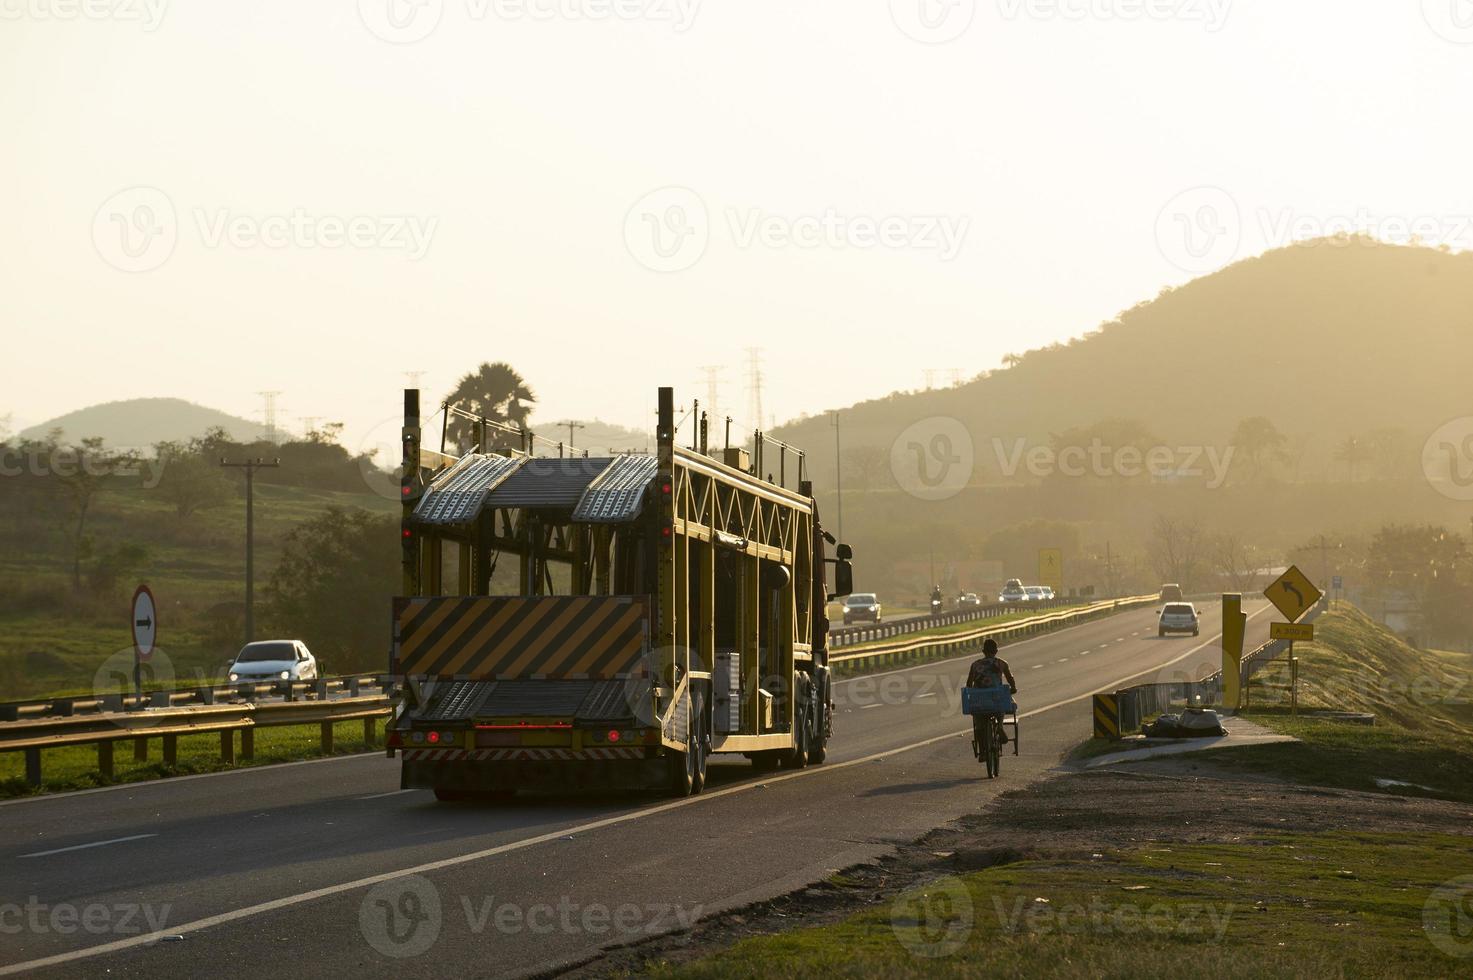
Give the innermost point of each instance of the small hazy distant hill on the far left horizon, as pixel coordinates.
(142, 422)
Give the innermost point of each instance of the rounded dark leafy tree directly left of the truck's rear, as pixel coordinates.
(334, 584)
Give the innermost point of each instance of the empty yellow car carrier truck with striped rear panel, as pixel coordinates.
(574, 621)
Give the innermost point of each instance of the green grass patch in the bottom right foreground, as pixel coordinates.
(1288, 906)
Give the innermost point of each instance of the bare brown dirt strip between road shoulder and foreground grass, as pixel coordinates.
(1073, 816)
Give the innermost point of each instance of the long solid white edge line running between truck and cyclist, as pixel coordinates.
(519, 845)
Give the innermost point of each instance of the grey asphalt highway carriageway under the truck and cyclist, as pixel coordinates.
(328, 869)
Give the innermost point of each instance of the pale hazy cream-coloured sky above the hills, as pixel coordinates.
(211, 200)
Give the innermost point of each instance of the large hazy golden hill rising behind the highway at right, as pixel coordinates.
(1329, 340)
